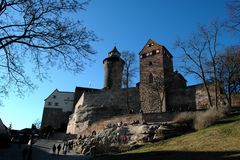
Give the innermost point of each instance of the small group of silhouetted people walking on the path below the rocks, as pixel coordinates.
(67, 146)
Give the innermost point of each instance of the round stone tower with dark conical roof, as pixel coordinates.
(113, 67)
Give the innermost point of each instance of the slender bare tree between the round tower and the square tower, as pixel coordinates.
(129, 72)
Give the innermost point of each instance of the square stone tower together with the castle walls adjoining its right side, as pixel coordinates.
(161, 88)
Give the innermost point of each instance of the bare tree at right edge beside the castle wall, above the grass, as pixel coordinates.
(228, 72)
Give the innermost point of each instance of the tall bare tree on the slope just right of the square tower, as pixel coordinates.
(199, 51)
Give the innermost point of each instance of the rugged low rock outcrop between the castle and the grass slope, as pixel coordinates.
(125, 137)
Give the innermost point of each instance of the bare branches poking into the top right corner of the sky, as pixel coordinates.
(233, 7)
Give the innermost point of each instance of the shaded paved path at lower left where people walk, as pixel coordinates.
(14, 152)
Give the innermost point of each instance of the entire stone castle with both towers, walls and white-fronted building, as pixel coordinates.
(161, 89)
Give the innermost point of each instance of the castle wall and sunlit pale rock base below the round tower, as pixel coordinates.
(101, 105)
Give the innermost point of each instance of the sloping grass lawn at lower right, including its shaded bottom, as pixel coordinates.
(218, 142)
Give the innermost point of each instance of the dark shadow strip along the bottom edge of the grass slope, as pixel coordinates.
(174, 155)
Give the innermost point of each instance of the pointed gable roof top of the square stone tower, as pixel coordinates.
(151, 45)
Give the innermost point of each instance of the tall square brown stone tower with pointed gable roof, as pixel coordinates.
(156, 69)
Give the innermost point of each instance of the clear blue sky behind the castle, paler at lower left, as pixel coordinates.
(128, 24)
